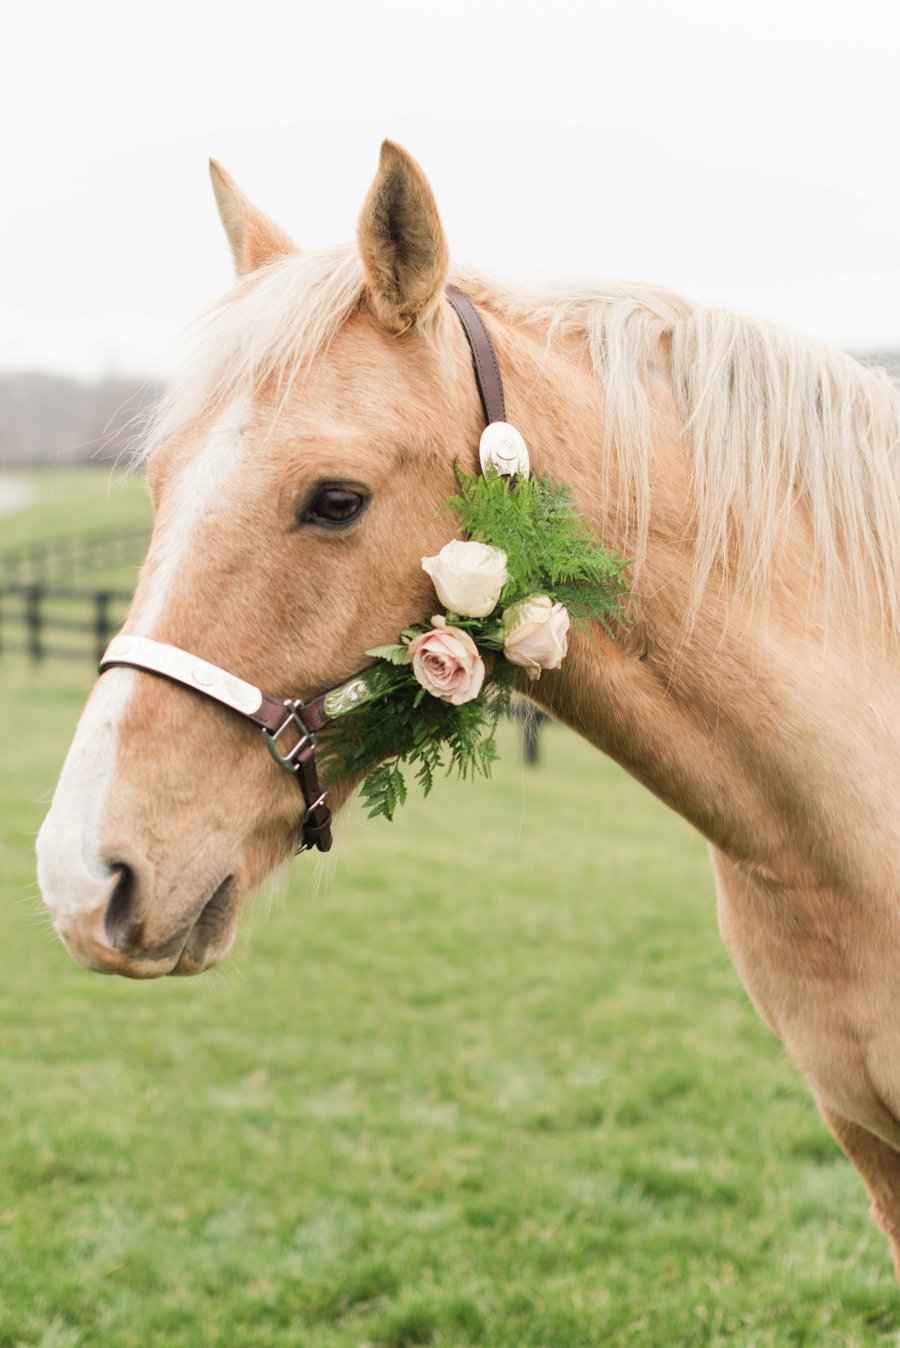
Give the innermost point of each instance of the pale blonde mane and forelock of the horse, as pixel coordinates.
(774, 423)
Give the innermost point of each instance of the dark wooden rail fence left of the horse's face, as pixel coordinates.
(42, 614)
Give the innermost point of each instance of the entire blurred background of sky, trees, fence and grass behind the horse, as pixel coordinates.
(488, 1078)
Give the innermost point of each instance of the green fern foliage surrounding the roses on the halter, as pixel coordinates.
(401, 725)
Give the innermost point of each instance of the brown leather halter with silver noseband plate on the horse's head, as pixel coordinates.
(278, 716)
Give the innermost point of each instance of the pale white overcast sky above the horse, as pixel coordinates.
(743, 154)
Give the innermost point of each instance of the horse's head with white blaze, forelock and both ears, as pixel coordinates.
(297, 475)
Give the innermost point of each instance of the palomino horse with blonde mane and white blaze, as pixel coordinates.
(297, 472)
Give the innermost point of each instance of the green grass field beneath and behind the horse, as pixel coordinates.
(487, 1079)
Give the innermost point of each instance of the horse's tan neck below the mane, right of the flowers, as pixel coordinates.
(771, 734)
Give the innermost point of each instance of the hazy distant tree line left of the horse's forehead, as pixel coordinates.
(49, 420)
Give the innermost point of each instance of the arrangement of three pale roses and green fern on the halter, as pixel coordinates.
(527, 572)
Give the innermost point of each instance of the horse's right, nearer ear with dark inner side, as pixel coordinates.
(402, 242)
